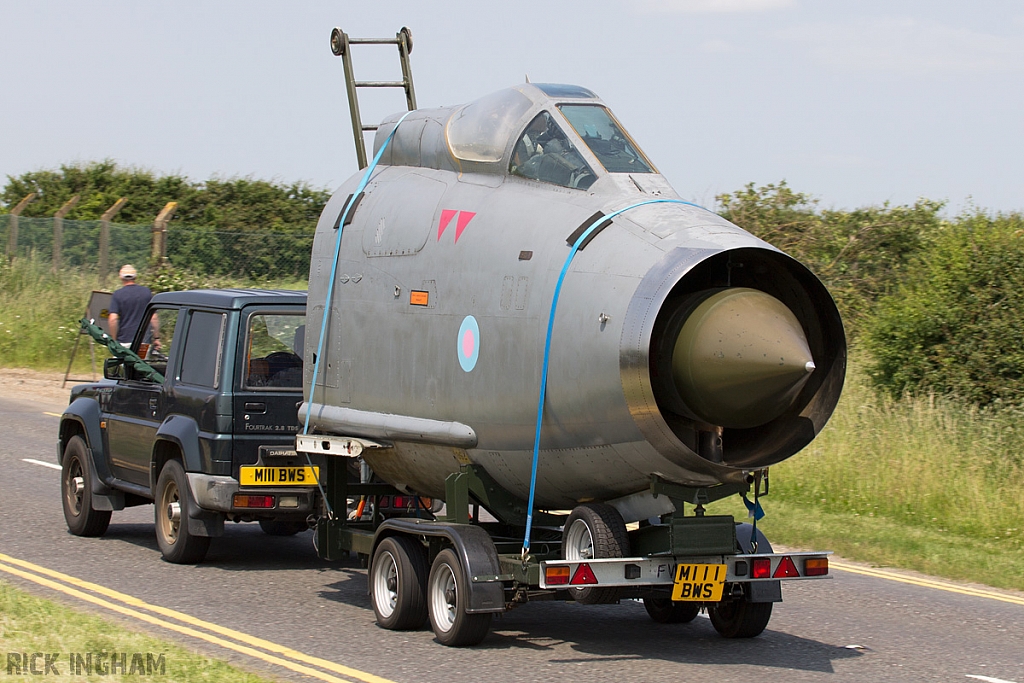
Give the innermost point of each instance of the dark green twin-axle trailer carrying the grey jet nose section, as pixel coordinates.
(461, 568)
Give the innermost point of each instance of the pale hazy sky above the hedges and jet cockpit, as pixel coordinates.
(856, 104)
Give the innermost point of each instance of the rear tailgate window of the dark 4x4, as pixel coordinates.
(274, 351)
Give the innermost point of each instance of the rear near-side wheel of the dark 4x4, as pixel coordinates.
(173, 504)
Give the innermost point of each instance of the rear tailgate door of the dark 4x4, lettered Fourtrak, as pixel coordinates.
(270, 389)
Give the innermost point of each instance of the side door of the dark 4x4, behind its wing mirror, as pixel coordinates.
(137, 405)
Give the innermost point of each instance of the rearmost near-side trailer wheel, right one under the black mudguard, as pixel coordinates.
(448, 596)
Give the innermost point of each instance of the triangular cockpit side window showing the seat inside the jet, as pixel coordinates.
(544, 153)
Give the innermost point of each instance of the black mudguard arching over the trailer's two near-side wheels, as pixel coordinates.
(477, 552)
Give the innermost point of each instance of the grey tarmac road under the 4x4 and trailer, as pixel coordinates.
(262, 602)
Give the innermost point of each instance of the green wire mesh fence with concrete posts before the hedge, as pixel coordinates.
(201, 250)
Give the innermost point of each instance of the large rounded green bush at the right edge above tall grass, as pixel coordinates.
(956, 325)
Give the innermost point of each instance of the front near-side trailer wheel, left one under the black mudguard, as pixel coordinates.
(399, 584)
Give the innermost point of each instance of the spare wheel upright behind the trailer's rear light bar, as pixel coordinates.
(594, 531)
